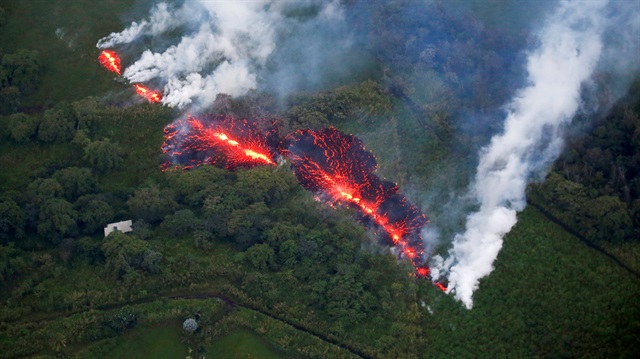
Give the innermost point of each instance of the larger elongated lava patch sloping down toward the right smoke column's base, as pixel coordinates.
(338, 169)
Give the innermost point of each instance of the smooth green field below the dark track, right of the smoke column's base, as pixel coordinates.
(546, 284)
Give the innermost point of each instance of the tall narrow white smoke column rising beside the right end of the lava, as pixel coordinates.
(569, 49)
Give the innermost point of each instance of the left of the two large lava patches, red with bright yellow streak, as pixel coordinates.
(218, 140)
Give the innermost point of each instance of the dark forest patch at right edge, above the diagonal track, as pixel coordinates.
(595, 185)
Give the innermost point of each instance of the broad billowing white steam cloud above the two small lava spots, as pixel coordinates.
(224, 46)
